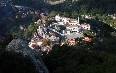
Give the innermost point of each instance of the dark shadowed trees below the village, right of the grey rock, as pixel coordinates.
(99, 57)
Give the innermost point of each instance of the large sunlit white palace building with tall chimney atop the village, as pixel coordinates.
(73, 26)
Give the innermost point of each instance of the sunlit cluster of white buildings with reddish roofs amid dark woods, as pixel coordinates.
(63, 31)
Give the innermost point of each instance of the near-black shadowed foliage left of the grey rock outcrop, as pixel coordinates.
(15, 63)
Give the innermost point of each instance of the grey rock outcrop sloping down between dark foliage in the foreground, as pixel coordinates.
(19, 45)
